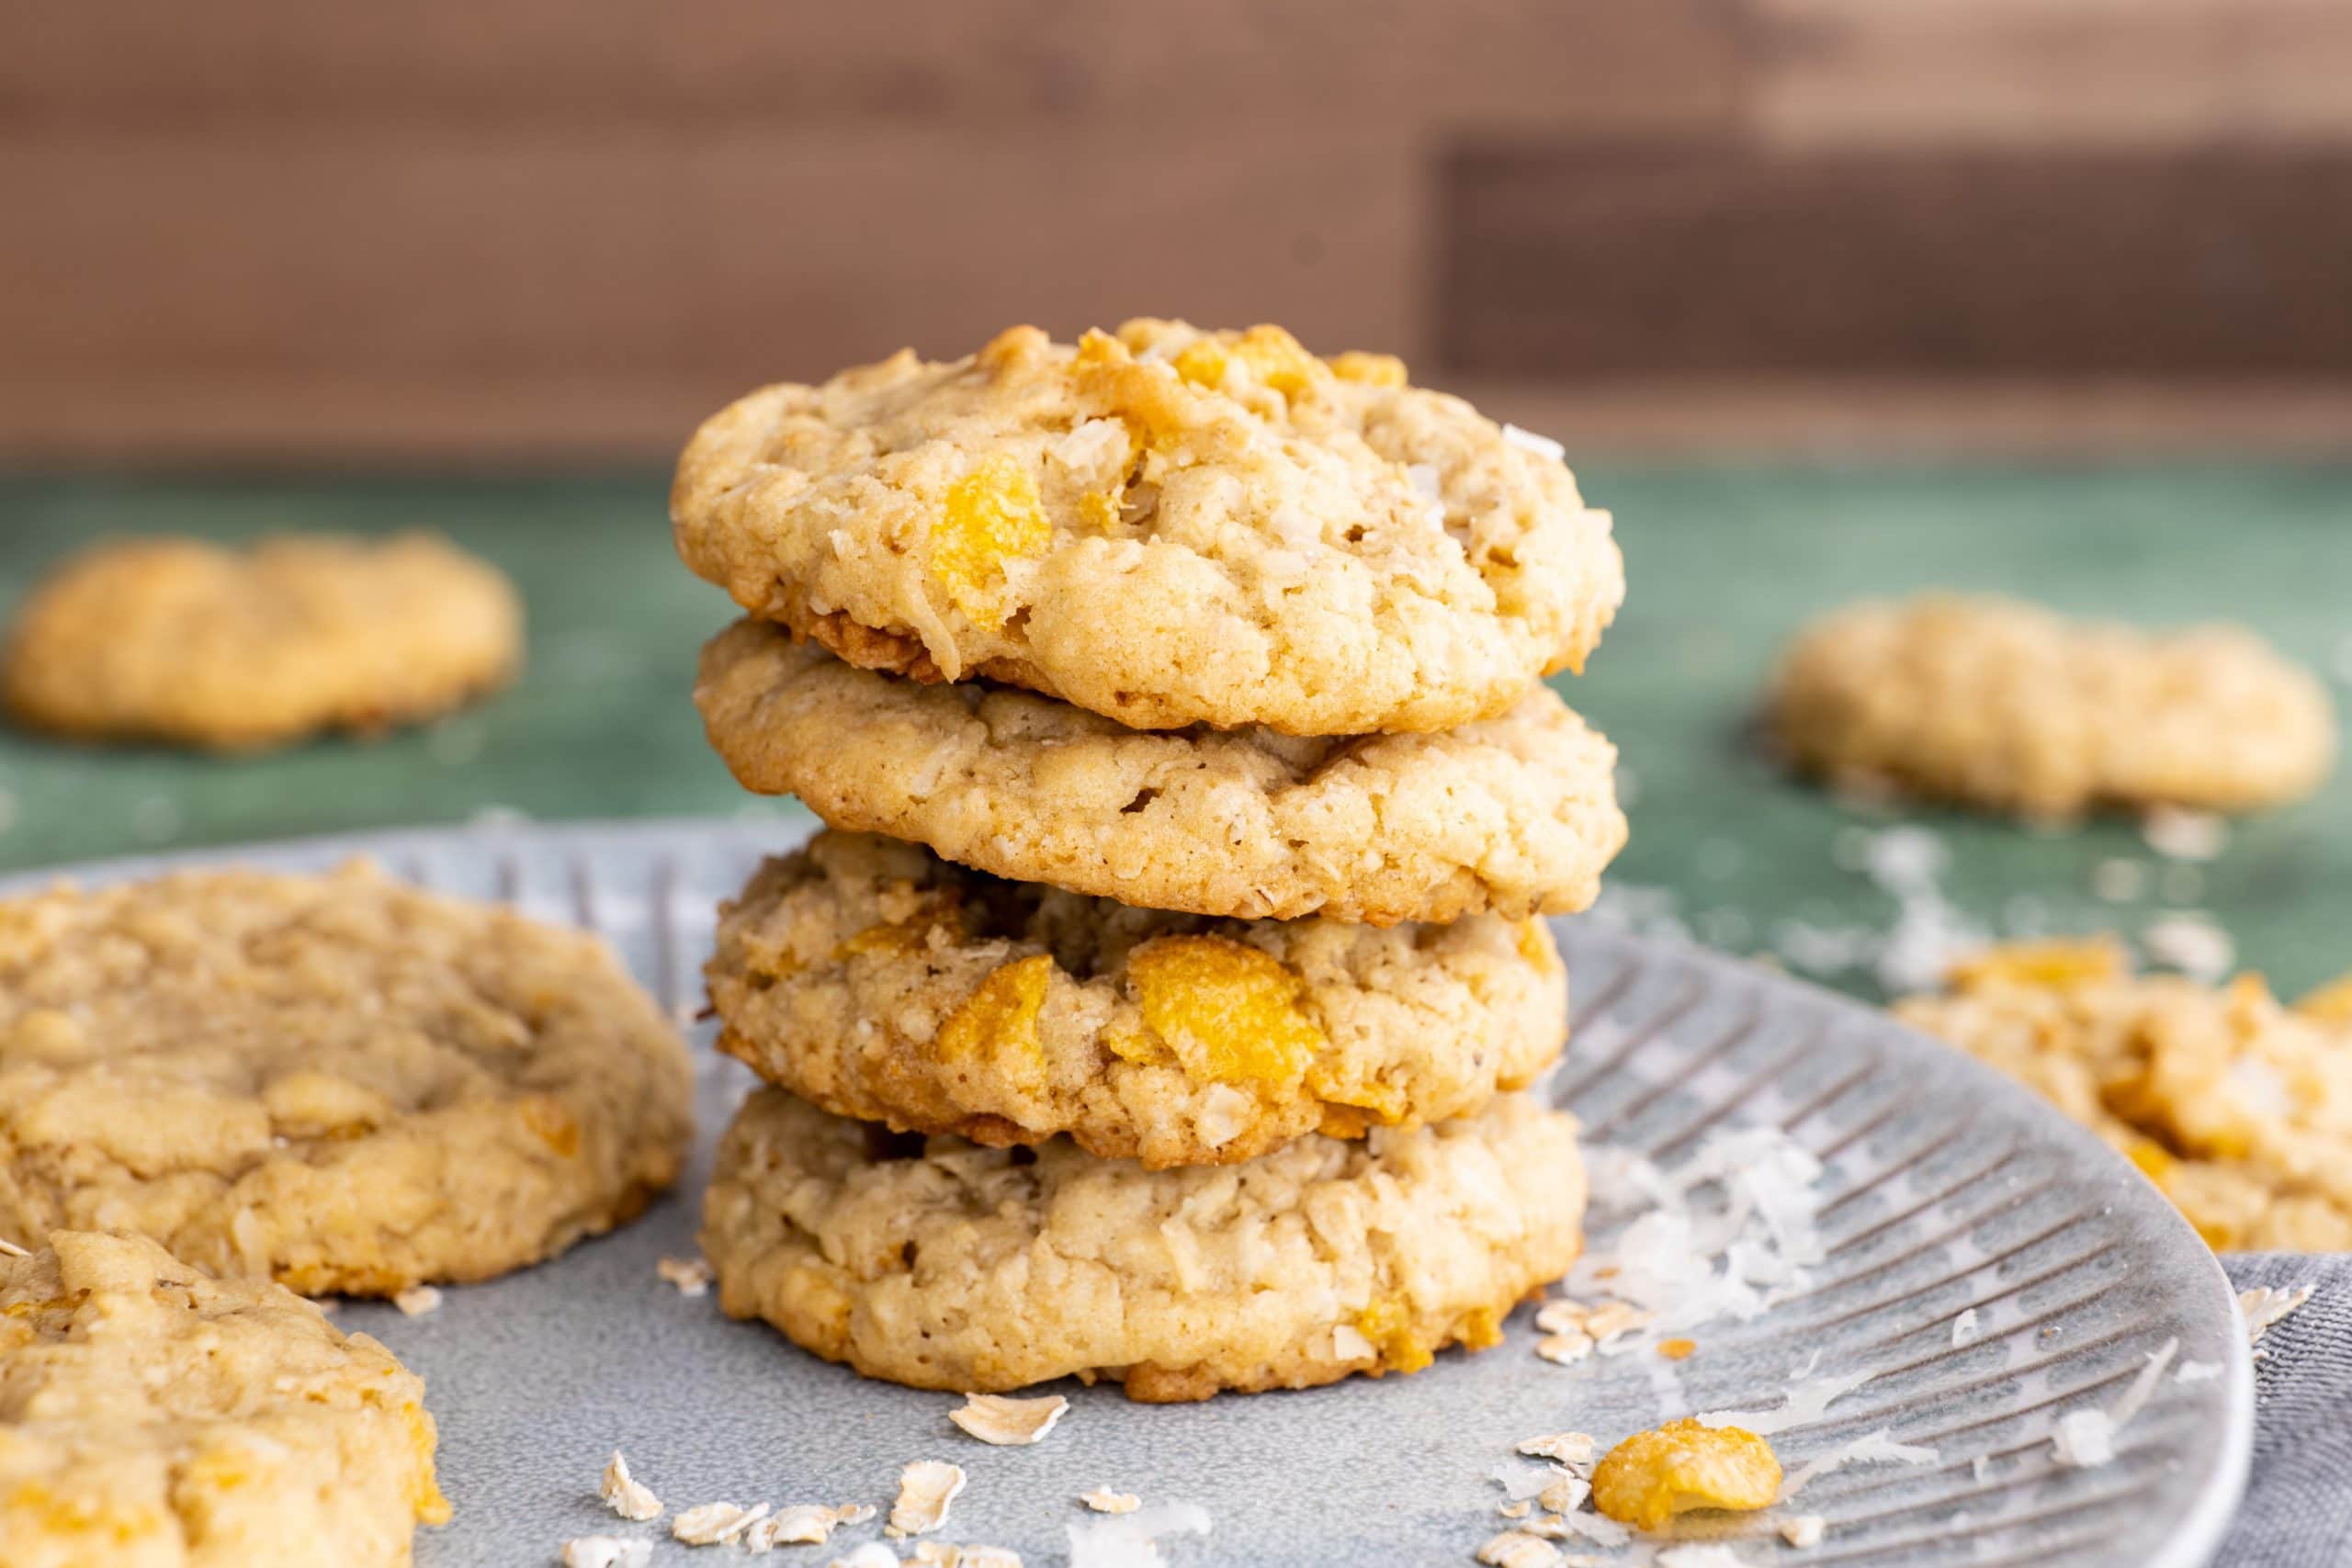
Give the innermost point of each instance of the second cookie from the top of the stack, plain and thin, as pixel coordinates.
(1514, 817)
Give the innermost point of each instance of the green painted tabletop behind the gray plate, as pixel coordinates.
(1723, 563)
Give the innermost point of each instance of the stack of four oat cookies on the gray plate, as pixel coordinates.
(1154, 1003)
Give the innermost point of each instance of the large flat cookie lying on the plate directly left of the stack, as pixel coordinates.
(338, 1083)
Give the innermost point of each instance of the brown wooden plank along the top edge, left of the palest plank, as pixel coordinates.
(1210, 65)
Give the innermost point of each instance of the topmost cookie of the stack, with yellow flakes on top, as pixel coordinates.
(1168, 528)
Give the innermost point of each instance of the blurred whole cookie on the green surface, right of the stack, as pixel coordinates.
(2010, 706)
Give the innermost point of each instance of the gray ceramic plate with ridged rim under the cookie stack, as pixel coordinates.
(1946, 1188)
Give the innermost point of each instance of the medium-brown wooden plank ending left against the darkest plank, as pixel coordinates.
(721, 257)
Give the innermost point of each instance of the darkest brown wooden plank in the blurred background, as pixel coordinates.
(1716, 260)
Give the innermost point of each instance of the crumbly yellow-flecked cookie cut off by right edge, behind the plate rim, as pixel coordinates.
(2233, 1104)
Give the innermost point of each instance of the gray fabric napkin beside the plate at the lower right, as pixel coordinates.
(2299, 1499)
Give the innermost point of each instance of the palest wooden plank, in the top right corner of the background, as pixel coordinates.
(2052, 74)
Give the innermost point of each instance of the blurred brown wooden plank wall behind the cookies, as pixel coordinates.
(566, 229)
